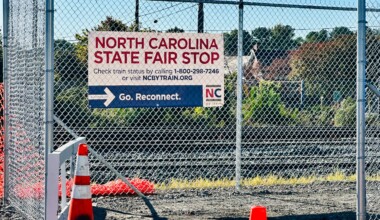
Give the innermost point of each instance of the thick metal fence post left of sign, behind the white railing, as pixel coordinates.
(49, 89)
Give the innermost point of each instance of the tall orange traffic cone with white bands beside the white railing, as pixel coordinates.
(81, 204)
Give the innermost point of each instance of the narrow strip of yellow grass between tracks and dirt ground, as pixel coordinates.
(269, 180)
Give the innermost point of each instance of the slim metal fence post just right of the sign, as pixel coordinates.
(239, 96)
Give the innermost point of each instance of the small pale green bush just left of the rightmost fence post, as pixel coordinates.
(346, 113)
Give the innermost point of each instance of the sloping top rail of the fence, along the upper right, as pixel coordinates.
(276, 5)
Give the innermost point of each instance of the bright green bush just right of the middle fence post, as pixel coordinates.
(263, 106)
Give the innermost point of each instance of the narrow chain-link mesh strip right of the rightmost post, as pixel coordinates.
(372, 113)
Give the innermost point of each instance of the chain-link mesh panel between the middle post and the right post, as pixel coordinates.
(299, 101)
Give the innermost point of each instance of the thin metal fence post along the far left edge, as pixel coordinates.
(6, 92)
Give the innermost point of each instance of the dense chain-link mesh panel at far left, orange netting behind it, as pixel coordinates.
(26, 104)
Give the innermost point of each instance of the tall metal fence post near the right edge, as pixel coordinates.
(360, 123)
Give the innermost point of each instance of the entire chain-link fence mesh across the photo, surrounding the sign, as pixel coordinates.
(297, 154)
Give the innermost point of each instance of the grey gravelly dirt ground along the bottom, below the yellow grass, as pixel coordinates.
(317, 201)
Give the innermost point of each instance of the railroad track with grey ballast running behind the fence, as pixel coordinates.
(189, 153)
